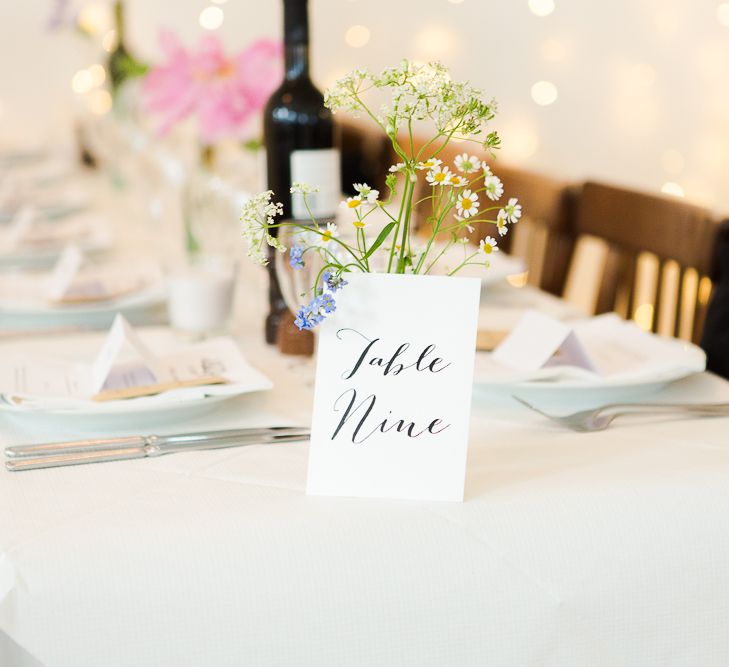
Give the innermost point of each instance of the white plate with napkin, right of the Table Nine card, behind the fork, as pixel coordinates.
(643, 363)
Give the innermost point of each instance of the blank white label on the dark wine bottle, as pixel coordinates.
(318, 168)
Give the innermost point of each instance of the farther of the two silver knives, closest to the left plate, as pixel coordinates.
(101, 444)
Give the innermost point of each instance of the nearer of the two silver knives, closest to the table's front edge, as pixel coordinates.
(150, 448)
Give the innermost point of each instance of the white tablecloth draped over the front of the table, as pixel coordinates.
(607, 548)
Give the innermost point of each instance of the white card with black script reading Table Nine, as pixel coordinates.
(393, 388)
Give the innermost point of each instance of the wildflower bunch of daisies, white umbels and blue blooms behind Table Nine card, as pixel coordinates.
(418, 93)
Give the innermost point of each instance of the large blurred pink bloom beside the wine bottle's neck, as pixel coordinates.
(223, 92)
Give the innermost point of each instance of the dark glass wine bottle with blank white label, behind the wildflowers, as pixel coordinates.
(300, 144)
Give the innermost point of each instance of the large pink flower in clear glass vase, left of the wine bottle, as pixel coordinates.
(223, 93)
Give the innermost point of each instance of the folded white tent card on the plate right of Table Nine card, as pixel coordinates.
(538, 341)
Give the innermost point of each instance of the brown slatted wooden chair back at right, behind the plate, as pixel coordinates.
(676, 236)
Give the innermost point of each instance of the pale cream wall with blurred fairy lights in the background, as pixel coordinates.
(643, 85)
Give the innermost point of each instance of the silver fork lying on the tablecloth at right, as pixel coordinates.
(600, 418)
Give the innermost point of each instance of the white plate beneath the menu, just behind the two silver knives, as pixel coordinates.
(176, 403)
